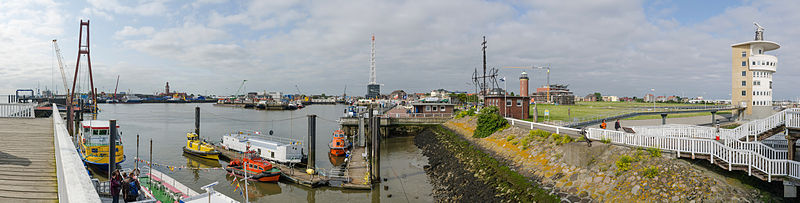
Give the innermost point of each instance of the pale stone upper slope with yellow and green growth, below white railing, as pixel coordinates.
(606, 173)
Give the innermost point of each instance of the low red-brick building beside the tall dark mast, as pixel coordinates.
(510, 106)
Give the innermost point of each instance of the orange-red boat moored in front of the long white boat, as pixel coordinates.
(255, 168)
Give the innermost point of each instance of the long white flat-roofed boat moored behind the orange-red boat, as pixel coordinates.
(278, 149)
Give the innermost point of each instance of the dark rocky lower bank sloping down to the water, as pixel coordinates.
(460, 172)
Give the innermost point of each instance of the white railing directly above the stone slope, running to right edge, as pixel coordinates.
(739, 157)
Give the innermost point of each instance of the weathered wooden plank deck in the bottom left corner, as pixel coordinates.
(27, 160)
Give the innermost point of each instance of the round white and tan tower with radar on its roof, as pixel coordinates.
(752, 76)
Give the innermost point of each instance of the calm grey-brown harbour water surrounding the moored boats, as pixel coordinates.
(167, 125)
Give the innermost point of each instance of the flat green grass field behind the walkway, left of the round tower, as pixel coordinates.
(583, 110)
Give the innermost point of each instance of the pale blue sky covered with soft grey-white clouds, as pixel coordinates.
(615, 47)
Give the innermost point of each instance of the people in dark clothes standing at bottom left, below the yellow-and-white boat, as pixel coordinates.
(127, 183)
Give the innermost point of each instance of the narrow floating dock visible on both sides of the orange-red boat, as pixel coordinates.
(295, 175)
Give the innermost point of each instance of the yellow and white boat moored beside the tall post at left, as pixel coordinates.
(93, 144)
